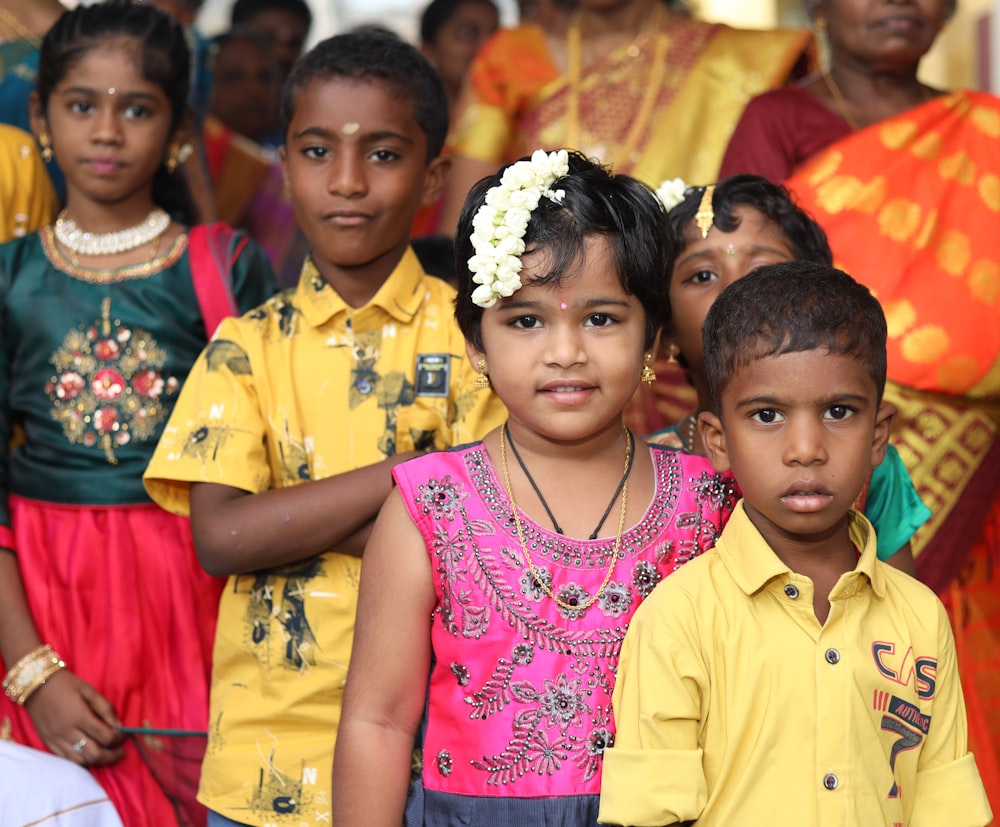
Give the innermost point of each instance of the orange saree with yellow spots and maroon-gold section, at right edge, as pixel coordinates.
(911, 206)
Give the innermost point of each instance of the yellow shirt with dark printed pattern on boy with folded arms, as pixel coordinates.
(302, 388)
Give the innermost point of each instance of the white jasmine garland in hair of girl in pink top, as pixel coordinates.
(500, 223)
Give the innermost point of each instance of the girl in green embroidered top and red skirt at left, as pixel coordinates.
(107, 617)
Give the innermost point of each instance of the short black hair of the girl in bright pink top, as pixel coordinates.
(596, 202)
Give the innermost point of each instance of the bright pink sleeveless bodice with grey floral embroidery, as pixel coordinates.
(543, 702)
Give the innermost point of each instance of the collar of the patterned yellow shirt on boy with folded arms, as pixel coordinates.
(399, 296)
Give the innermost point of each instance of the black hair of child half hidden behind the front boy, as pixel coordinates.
(805, 237)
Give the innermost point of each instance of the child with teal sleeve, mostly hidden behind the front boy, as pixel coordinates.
(748, 222)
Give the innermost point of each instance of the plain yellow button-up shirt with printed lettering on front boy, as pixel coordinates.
(734, 706)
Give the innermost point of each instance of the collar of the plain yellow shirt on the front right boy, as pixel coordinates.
(752, 562)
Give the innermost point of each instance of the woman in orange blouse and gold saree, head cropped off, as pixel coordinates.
(638, 84)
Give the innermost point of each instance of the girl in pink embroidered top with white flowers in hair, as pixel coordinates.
(502, 568)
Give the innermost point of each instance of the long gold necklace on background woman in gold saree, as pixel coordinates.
(574, 59)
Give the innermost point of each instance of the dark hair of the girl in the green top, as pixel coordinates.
(163, 55)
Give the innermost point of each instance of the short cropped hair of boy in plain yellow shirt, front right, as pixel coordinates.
(787, 308)
